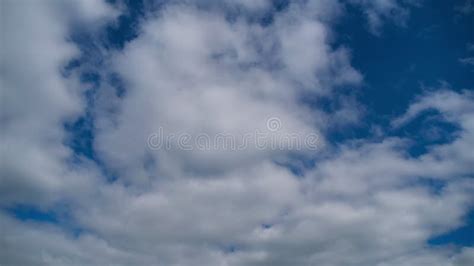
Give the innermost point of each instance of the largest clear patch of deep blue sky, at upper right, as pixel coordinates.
(399, 62)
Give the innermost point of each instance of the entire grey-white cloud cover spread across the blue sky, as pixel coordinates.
(192, 70)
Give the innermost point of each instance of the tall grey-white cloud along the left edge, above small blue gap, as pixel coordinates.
(36, 98)
